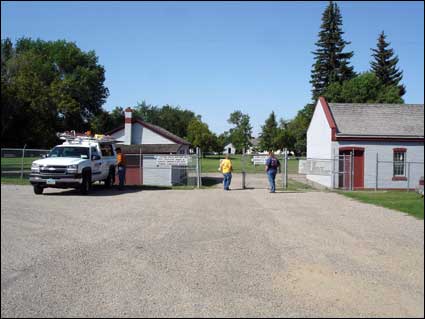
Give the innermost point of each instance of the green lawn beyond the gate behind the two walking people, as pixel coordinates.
(210, 164)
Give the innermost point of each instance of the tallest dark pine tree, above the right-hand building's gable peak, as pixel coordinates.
(332, 64)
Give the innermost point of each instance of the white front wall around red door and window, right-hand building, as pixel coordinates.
(414, 153)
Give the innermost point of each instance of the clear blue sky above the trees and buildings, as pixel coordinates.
(217, 57)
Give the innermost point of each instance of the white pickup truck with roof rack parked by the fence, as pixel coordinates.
(77, 163)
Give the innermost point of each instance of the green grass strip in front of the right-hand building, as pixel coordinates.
(407, 202)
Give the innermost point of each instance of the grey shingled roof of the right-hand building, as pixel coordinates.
(380, 120)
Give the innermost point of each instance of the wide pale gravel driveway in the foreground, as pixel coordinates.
(206, 253)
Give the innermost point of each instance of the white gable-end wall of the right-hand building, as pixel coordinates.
(319, 142)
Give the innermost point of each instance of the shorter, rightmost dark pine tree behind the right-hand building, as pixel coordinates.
(385, 65)
